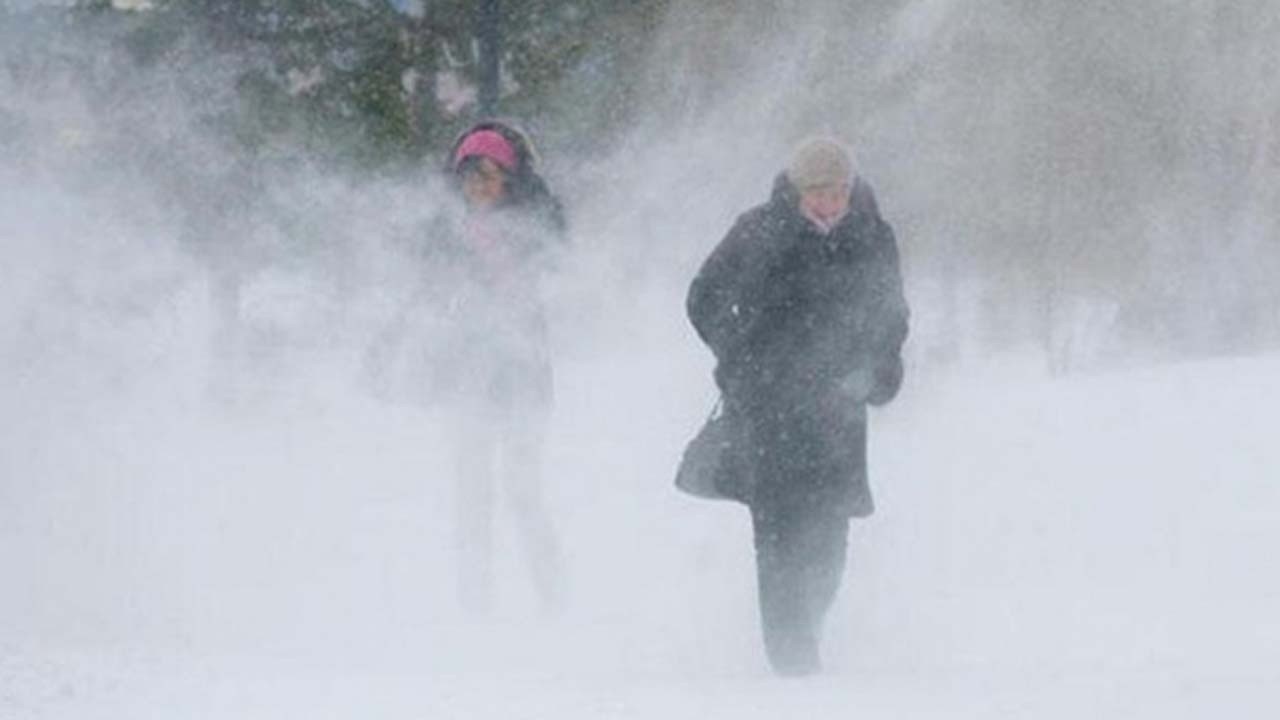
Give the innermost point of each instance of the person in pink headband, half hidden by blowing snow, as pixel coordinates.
(493, 366)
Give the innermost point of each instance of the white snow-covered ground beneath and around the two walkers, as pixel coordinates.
(1085, 548)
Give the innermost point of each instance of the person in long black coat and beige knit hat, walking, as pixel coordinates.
(803, 307)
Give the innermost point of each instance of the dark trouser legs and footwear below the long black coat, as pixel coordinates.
(799, 558)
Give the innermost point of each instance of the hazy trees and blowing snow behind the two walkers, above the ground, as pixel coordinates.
(1091, 181)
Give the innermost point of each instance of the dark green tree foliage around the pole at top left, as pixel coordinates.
(354, 83)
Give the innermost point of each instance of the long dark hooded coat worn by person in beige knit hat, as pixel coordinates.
(807, 330)
